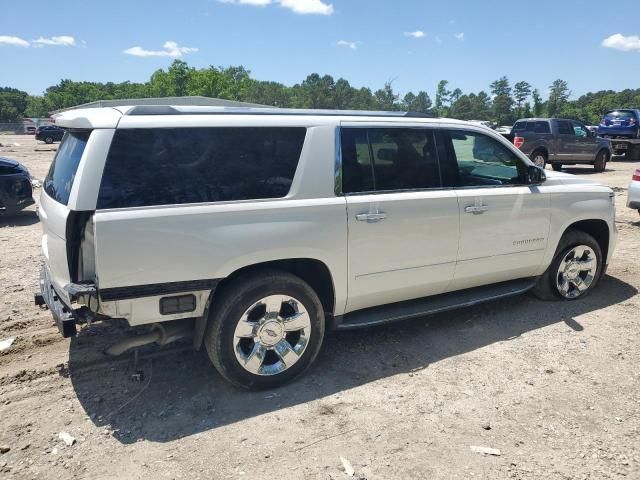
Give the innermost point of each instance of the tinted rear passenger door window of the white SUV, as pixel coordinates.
(389, 159)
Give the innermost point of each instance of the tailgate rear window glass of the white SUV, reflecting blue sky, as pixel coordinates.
(63, 170)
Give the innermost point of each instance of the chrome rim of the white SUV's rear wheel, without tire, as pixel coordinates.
(272, 335)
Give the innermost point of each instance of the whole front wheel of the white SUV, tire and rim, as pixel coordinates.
(575, 269)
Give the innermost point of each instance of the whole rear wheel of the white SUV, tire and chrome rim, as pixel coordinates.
(265, 329)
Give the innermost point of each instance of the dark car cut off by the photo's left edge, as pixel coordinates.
(15, 187)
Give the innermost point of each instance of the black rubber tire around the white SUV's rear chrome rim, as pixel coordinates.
(237, 298)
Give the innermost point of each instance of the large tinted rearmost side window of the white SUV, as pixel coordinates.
(166, 166)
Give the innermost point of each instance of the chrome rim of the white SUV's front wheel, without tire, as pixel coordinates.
(576, 271)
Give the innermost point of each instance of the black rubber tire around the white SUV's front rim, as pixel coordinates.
(546, 287)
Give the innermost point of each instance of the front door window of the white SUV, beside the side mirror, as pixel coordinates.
(483, 161)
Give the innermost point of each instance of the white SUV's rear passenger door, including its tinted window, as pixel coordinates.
(403, 226)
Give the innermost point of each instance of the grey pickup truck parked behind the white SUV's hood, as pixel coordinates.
(560, 142)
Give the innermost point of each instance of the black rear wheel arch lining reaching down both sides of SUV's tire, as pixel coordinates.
(312, 271)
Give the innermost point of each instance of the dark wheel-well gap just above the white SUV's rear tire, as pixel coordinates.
(314, 272)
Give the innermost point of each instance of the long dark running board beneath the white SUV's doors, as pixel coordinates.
(434, 304)
